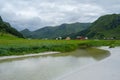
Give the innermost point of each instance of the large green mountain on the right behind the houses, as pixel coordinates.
(105, 27)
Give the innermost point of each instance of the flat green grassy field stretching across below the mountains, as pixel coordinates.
(16, 46)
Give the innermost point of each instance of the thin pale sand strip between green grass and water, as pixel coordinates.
(27, 55)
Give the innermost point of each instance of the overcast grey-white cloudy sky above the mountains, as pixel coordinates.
(35, 14)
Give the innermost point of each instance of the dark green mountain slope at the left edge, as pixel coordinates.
(6, 28)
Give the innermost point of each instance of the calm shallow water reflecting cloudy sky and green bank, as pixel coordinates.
(48, 67)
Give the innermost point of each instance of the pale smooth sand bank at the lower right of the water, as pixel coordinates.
(107, 69)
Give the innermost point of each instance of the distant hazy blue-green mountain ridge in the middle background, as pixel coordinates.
(51, 32)
